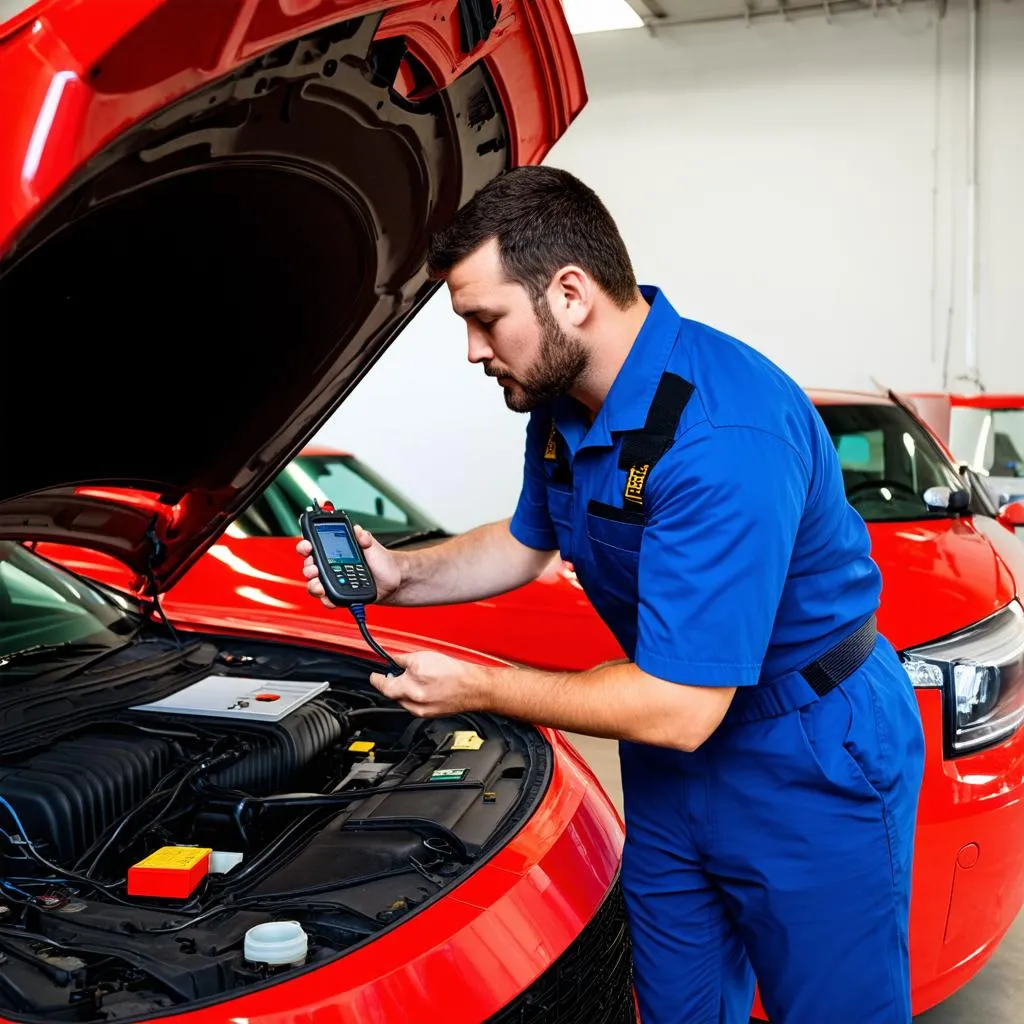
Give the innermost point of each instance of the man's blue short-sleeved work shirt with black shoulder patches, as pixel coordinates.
(748, 563)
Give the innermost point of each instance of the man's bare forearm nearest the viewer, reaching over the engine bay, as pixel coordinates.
(617, 701)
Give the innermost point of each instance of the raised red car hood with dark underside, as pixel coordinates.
(214, 221)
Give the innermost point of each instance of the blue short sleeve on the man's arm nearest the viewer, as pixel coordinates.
(727, 505)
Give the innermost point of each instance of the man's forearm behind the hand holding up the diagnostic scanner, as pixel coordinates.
(473, 567)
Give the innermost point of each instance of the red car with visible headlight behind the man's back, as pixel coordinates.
(953, 578)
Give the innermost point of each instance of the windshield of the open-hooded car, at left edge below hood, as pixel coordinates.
(46, 610)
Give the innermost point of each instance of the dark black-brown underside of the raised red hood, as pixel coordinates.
(200, 297)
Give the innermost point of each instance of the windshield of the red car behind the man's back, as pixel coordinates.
(888, 461)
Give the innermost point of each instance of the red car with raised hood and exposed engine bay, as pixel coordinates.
(224, 822)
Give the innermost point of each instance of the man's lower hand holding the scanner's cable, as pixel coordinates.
(433, 686)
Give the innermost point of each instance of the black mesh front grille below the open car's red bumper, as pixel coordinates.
(590, 984)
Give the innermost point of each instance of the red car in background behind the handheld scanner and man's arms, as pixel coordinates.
(548, 624)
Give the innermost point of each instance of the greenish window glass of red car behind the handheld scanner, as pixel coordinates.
(370, 501)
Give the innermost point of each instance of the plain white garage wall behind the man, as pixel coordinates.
(800, 185)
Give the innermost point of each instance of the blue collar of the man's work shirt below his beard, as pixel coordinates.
(632, 392)
